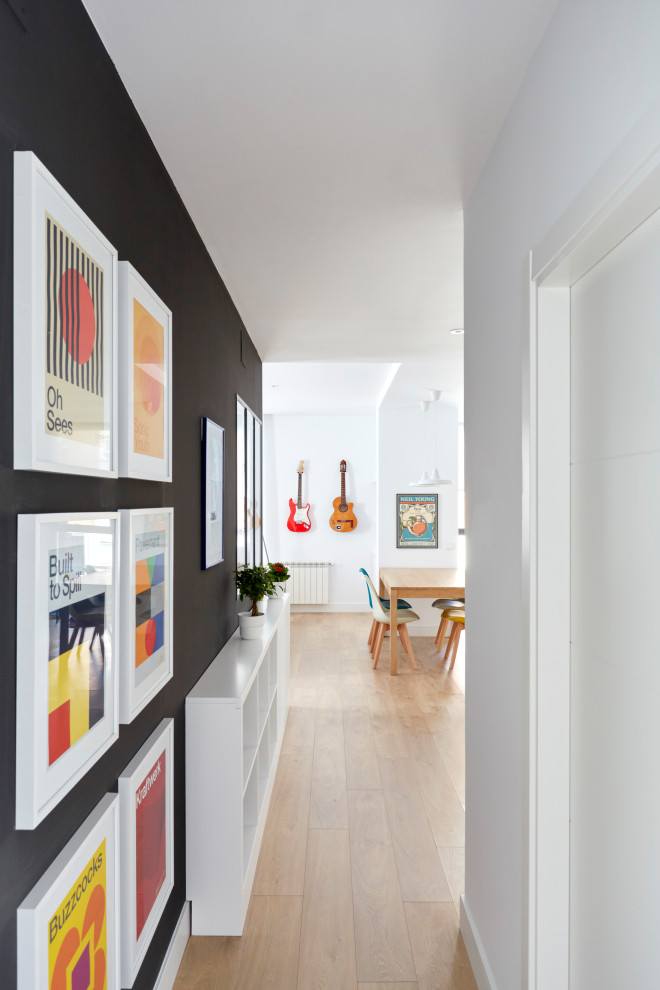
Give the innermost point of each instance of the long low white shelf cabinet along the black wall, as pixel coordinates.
(235, 717)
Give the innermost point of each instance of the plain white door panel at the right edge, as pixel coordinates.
(615, 619)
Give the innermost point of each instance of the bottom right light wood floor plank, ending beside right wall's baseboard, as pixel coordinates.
(440, 957)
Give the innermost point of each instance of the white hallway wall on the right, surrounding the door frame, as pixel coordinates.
(593, 78)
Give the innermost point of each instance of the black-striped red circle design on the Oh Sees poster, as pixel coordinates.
(74, 312)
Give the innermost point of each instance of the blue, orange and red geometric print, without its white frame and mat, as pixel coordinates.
(150, 603)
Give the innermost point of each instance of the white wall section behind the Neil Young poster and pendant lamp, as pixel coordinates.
(400, 461)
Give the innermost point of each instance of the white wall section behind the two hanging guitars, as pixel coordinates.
(322, 442)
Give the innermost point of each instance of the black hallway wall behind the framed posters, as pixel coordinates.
(61, 98)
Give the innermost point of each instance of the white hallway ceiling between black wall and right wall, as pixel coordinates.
(325, 150)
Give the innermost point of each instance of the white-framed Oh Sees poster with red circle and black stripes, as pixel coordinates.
(65, 331)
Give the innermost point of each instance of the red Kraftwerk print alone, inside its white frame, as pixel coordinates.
(150, 841)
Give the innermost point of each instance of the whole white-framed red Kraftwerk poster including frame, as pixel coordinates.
(146, 798)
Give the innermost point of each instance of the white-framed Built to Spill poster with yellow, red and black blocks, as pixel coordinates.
(66, 646)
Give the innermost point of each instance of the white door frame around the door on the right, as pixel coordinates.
(624, 193)
